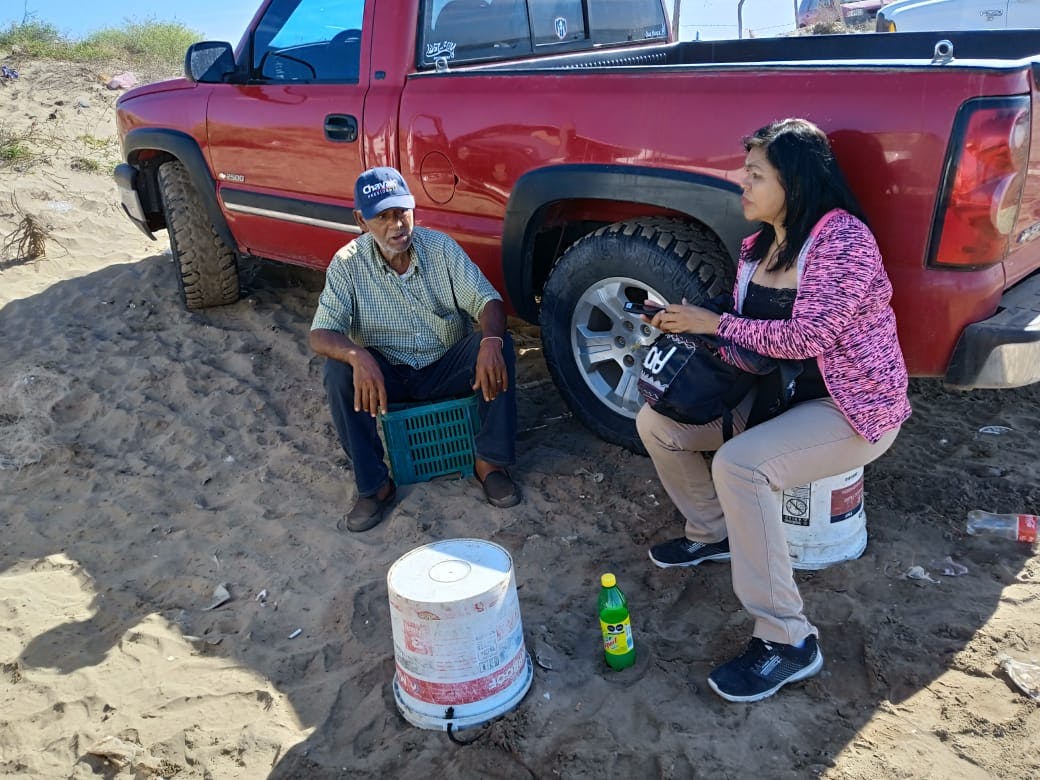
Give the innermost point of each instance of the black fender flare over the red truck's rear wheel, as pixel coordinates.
(713, 201)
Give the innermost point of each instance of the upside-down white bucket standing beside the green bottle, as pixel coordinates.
(458, 640)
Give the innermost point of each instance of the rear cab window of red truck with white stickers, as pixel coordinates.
(470, 31)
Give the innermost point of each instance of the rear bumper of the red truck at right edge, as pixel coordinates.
(1004, 351)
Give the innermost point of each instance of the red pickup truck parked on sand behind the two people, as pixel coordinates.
(584, 159)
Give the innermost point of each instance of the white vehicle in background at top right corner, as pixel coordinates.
(917, 16)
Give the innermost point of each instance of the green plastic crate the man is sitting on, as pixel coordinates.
(431, 440)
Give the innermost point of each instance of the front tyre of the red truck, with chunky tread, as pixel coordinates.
(209, 266)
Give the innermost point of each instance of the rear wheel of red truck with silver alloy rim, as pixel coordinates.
(593, 349)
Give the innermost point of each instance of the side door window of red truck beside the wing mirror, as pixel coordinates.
(309, 41)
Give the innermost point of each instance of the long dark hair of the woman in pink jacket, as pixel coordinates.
(812, 181)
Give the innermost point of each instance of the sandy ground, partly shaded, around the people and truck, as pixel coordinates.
(149, 455)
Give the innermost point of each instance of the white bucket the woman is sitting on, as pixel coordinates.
(825, 521)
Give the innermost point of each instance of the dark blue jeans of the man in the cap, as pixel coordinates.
(452, 376)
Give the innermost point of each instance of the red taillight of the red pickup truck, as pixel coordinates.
(982, 184)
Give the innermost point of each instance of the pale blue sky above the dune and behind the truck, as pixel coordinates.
(226, 20)
